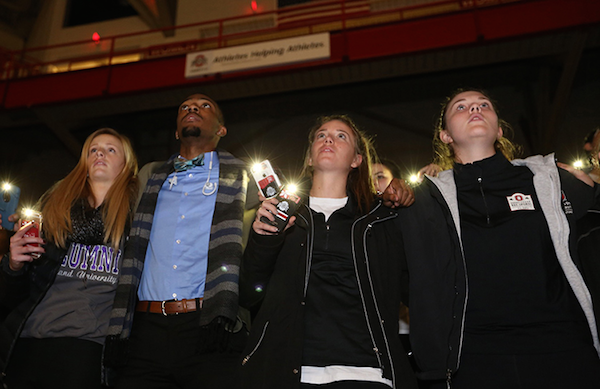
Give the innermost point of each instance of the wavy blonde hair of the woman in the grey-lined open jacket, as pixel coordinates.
(444, 153)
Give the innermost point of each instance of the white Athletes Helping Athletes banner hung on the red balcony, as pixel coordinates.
(257, 55)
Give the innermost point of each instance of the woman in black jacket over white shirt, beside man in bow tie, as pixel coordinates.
(329, 286)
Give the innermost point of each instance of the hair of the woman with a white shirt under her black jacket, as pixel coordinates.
(360, 180)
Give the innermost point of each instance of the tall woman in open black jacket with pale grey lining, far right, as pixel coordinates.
(496, 292)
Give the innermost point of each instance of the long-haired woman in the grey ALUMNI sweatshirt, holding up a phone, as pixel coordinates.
(60, 303)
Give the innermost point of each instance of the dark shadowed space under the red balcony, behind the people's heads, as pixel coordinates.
(547, 87)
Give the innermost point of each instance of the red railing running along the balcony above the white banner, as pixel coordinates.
(319, 16)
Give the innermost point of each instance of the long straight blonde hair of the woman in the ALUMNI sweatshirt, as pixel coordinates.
(116, 213)
